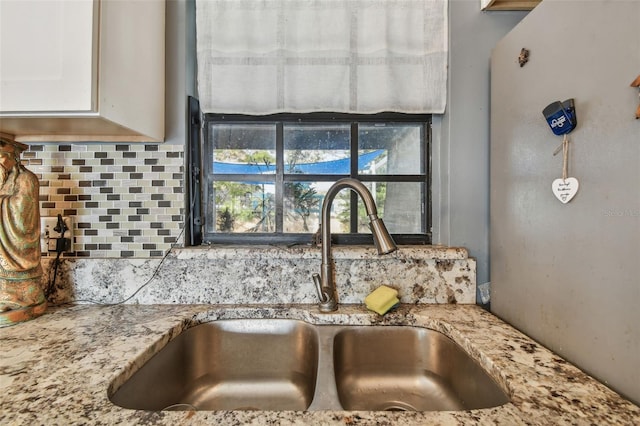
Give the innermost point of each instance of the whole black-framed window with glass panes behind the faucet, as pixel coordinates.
(265, 177)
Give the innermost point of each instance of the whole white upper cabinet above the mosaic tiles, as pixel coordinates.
(82, 70)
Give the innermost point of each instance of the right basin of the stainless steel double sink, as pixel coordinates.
(408, 368)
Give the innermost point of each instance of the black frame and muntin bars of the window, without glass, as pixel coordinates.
(280, 119)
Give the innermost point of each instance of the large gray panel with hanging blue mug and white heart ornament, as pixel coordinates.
(566, 274)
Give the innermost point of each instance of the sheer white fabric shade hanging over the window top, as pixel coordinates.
(355, 56)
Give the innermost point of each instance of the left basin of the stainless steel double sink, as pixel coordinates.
(242, 364)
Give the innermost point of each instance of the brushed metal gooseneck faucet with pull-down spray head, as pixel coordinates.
(325, 281)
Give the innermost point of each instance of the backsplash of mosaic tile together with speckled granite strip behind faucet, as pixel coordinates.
(127, 202)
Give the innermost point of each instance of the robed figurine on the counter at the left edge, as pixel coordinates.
(21, 295)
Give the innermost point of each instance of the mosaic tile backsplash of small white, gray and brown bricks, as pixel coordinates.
(126, 200)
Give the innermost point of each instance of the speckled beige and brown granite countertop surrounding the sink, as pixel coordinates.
(57, 369)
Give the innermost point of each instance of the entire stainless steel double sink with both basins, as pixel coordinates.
(284, 364)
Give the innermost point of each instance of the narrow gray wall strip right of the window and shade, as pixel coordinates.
(461, 137)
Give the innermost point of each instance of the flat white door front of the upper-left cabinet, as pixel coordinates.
(47, 51)
